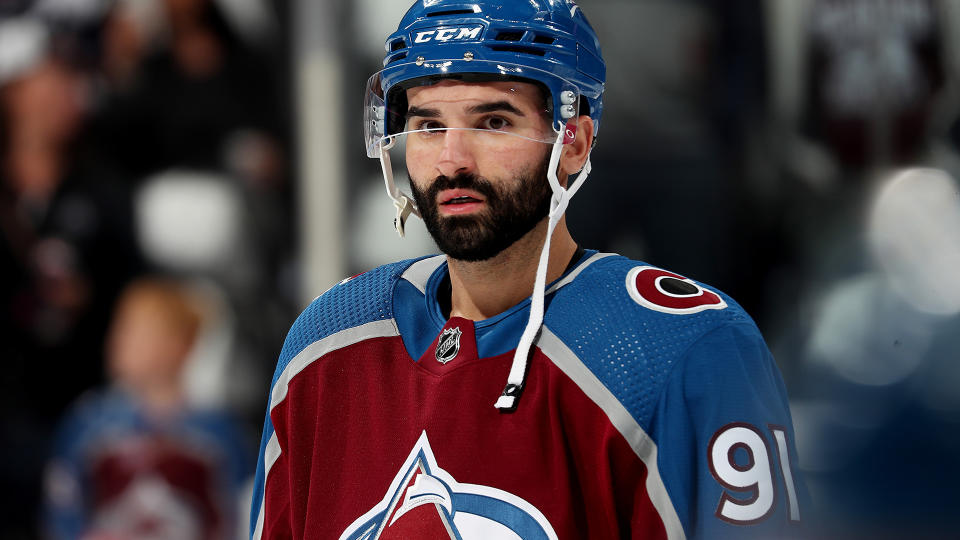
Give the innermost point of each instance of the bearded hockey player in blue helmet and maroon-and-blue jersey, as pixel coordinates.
(439, 398)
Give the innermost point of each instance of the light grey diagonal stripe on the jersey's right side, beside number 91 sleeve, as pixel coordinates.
(641, 443)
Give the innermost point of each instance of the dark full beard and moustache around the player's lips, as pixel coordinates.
(510, 213)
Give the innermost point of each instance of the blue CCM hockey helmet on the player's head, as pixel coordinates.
(547, 42)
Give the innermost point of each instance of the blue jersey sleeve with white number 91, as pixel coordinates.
(725, 440)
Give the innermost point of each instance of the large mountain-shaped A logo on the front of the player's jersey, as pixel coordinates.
(424, 501)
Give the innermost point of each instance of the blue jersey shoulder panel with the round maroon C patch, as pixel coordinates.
(630, 323)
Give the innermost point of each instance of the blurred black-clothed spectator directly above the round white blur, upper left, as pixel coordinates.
(184, 89)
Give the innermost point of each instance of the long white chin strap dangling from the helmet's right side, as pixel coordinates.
(558, 204)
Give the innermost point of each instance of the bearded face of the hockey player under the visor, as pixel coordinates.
(479, 189)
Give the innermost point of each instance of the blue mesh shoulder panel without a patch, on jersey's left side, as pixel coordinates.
(353, 302)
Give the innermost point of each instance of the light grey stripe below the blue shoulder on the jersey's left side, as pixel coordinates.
(311, 353)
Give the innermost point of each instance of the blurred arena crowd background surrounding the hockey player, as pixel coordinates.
(801, 155)
